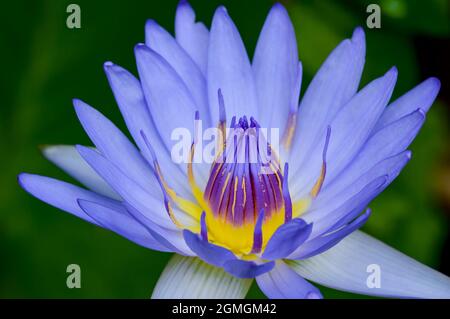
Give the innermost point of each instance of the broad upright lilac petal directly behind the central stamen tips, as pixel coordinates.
(229, 70)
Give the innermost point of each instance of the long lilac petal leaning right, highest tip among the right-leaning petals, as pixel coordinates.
(331, 88)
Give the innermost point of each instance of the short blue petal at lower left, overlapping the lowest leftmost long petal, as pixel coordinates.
(117, 219)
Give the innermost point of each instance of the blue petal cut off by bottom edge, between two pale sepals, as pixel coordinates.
(284, 283)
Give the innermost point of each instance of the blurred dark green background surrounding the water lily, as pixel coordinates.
(45, 65)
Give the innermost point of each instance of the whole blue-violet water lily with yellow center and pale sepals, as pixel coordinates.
(284, 222)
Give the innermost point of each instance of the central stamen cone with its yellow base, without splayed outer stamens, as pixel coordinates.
(245, 192)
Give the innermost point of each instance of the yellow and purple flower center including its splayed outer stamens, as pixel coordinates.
(246, 198)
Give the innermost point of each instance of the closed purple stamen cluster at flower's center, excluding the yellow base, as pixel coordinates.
(238, 187)
